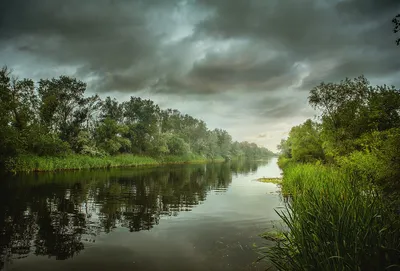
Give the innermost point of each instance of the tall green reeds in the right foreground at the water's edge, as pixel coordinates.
(335, 223)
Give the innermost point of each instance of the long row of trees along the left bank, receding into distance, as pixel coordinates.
(55, 118)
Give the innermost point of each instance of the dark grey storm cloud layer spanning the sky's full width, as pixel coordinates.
(123, 42)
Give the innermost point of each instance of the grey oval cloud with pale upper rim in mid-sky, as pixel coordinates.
(240, 68)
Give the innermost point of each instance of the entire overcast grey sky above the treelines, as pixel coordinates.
(245, 66)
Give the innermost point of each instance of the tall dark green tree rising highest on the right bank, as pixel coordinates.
(351, 108)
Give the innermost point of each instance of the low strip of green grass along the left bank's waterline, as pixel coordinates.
(31, 163)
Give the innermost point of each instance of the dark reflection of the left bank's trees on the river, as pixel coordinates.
(53, 214)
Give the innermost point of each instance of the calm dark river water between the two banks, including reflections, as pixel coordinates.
(192, 217)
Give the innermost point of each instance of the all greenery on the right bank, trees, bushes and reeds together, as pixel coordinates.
(342, 181)
